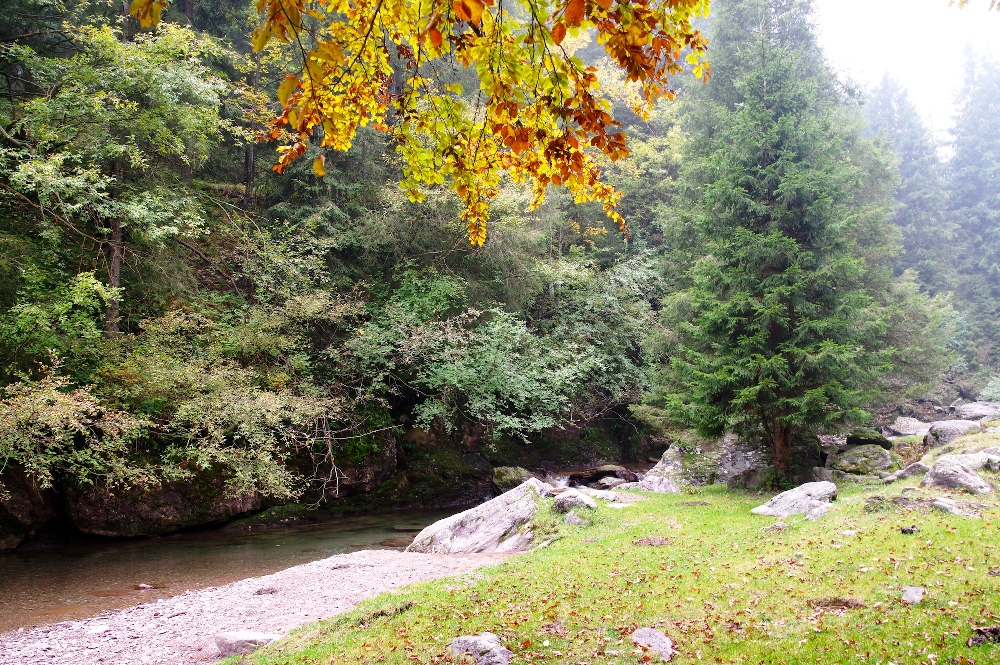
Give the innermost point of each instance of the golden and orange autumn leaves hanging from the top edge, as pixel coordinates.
(538, 114)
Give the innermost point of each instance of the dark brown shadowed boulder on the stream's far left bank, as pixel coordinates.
(157, 509)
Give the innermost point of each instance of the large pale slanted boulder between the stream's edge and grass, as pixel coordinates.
(502, 524)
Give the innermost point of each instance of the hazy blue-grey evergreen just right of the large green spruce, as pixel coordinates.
(921, 197)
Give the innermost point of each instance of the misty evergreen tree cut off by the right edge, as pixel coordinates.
(975, 199)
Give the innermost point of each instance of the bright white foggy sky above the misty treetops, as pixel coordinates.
(921, 43)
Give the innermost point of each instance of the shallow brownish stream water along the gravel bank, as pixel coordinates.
(74, 581)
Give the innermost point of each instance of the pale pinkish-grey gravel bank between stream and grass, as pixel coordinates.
(182, 629)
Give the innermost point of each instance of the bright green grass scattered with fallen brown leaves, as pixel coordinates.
(722, 589)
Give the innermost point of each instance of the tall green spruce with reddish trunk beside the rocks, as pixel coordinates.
(780, 329)
